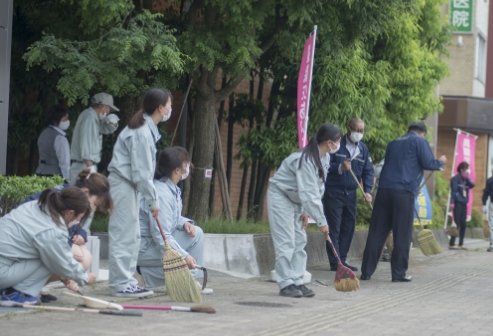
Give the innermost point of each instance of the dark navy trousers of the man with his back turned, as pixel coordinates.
(393, 210)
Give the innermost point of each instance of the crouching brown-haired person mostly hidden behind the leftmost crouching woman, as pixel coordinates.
(97, 189)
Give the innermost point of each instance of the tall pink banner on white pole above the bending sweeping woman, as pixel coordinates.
(304, 88)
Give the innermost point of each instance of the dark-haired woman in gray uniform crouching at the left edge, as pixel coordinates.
(33, 245)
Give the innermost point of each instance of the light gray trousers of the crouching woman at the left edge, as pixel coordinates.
(27, 276)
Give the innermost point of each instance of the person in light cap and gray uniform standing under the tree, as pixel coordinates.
(87, 140)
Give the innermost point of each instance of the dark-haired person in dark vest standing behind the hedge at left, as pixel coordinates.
(54, 150)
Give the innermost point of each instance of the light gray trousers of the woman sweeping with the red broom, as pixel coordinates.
(288, 237)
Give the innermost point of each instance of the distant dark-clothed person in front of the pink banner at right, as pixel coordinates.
(459, 197)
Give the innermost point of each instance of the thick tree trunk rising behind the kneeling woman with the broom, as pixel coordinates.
(205, 118)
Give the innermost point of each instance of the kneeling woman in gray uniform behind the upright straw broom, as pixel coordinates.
(183, 236)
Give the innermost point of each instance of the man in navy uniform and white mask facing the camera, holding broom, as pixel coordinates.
(341, 190)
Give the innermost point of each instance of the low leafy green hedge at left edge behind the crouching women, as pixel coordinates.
(15, 189)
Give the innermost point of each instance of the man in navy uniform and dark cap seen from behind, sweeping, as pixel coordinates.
(405, 160)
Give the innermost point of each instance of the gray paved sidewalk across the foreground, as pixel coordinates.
(451, 294)
